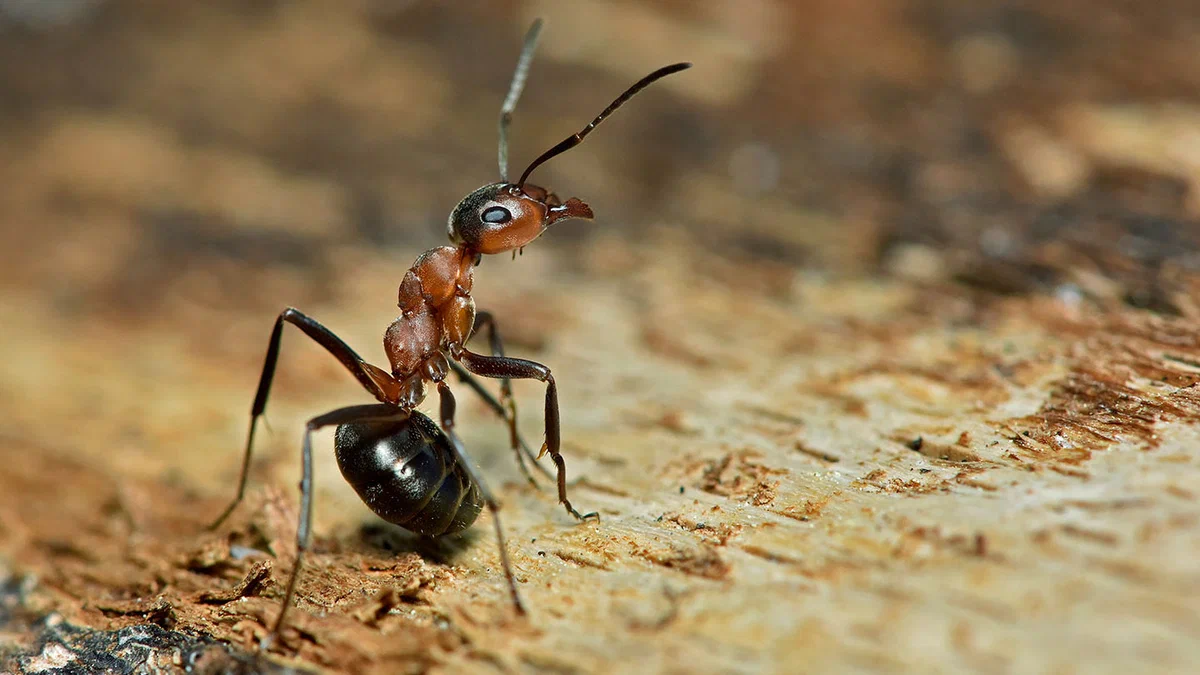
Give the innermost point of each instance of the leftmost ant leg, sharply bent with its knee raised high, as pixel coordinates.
(377, 383)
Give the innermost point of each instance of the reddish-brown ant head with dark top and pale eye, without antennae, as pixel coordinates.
(503, 217)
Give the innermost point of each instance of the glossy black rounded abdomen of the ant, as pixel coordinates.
(407, 474)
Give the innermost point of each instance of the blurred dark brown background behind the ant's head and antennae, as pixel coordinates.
(161, 156)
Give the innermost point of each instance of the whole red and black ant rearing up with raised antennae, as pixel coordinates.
(405, 468)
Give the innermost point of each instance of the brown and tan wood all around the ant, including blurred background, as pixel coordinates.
(923, 402)
